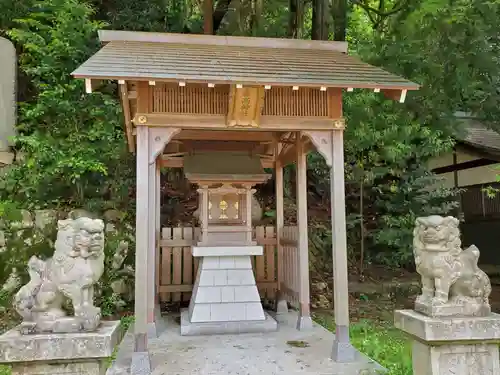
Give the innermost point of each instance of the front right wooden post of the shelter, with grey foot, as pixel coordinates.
(342, 351)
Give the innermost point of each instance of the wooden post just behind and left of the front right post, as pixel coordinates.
(304, 321)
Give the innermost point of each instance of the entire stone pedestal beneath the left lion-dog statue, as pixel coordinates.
(83, 353)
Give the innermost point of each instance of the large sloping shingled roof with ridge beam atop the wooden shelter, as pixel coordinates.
(224, 59)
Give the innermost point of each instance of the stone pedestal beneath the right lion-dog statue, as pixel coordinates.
(452, 345)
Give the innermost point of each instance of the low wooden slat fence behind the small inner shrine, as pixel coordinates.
(176, 267)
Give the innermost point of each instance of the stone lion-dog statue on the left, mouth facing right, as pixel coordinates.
(72, 272)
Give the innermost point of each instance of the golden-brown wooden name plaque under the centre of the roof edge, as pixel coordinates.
(245, 106)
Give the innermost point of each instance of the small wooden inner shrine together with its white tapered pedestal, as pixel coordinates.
(225, 289)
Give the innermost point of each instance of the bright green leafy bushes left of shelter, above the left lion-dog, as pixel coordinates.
(72, 143)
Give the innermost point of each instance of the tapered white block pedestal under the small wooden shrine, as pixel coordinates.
(225, 298)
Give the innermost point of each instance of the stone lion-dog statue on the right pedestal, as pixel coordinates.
(452, 283)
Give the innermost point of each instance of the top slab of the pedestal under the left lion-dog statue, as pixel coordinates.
(15, 347)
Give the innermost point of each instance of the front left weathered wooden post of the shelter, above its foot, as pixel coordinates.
(142, 240)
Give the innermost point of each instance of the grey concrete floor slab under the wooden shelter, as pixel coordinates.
(286, 351)
